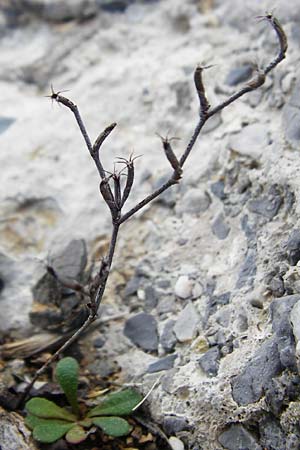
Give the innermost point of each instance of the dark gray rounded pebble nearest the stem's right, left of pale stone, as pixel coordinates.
(142, 331)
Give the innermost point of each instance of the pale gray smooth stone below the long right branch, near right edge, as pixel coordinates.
(252, 140)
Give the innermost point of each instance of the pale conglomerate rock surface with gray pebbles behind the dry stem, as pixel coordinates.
(206, 278)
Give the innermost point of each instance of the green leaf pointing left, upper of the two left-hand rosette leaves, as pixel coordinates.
(41, 407)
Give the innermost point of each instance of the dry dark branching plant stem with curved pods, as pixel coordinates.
(116, 200)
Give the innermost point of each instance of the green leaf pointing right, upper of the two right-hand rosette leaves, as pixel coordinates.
(117, 404)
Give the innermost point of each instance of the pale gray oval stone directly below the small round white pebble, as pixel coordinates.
(186, 325)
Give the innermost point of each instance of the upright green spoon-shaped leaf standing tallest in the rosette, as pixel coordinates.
(67, 375)
